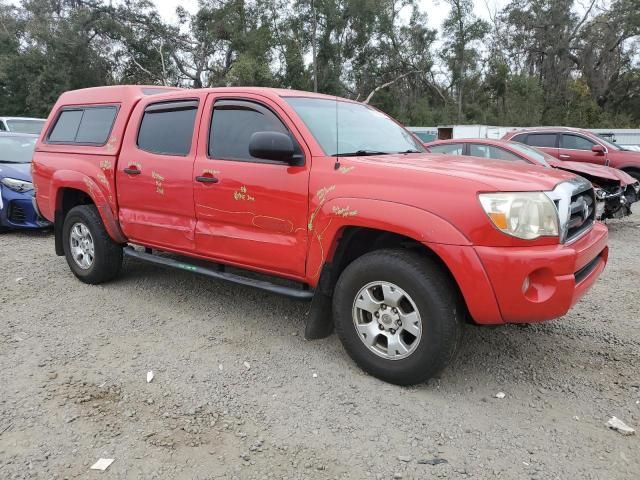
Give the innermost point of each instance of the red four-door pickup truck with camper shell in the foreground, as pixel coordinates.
(329, 200)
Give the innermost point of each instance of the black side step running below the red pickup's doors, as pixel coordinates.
(221, 275)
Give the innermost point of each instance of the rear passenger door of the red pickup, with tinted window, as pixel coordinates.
(154, 174)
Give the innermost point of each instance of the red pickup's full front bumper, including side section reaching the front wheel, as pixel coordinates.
(525, 284)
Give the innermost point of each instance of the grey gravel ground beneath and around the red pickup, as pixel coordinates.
(238, 392)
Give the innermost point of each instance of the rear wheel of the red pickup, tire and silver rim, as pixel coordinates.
(105, 262)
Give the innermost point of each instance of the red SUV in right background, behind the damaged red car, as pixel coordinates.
(572, 144)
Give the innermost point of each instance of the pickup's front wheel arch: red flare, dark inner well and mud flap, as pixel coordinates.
(346, 229)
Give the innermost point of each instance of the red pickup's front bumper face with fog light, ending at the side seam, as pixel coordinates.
(534, 284)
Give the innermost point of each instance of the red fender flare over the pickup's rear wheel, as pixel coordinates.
(79, 181)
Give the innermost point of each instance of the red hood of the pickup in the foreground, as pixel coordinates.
(490, 175)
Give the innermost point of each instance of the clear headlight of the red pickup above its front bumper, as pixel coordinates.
(526, 215)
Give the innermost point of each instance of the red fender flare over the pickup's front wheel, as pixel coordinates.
(331, 217)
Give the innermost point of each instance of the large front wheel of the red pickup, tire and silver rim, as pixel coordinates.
(425, 288)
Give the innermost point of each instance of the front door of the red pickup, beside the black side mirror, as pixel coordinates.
(250, 212)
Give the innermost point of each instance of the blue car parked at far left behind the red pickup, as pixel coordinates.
(16, 189)
